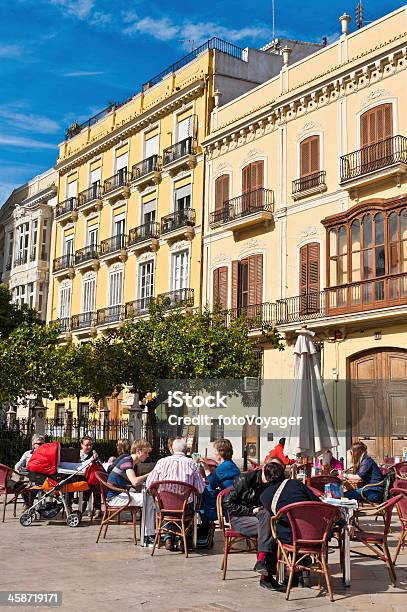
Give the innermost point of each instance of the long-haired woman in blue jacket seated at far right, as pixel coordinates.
(365, 472)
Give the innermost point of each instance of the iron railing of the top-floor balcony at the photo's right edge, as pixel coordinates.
(377, 156)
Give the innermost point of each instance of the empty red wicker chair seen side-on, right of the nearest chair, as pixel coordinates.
(374, 540)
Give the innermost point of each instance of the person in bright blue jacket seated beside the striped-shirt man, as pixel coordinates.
(222, 478)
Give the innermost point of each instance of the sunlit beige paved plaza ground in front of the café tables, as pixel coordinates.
(114, 575)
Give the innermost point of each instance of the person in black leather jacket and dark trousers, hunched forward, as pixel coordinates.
(248, 517)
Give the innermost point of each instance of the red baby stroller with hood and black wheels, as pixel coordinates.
(55, 479)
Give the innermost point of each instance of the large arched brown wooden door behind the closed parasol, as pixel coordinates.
(378, 399)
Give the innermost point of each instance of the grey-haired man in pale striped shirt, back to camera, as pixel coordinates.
(176, 467)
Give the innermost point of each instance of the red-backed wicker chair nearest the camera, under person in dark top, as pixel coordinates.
(311, 524)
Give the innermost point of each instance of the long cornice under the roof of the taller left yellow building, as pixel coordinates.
(135, 124)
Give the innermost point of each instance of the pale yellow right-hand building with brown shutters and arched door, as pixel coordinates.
(306, 224)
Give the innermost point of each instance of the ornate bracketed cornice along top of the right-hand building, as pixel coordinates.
(299, 102)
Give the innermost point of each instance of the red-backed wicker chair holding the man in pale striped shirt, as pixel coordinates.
(174, 516)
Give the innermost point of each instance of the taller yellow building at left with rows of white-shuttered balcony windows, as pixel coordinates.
(129, 217)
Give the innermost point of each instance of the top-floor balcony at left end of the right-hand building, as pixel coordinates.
(246, 210)
